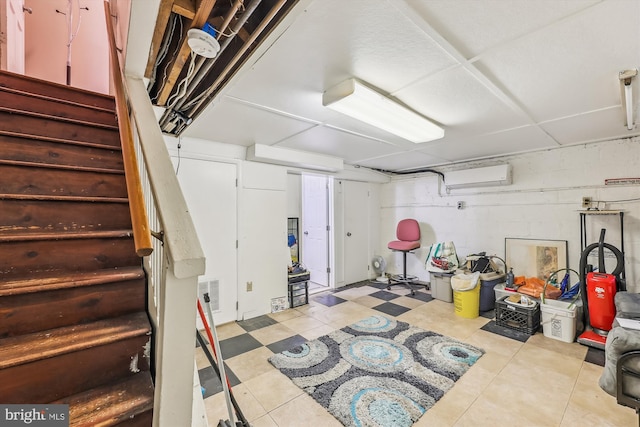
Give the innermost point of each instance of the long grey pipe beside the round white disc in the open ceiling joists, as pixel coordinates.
(201, 71)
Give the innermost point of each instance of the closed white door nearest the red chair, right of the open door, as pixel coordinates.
(356, 231)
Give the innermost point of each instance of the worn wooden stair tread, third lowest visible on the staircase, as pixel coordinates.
(49, 283)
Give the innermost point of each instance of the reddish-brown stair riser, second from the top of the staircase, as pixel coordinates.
(22, 102)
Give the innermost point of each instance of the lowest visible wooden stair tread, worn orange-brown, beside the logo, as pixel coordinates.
(111, 404)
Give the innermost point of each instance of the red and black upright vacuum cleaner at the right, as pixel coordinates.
(598, 289)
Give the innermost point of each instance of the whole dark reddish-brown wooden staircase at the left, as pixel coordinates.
(73, 321)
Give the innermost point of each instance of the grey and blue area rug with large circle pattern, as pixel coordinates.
(378, 371)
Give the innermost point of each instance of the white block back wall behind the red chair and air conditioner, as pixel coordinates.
(542, 203)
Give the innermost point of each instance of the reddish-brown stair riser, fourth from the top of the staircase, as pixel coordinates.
(27, 150)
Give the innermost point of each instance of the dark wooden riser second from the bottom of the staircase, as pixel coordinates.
(26, 313)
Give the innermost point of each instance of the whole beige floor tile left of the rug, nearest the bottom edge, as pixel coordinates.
(273, 389)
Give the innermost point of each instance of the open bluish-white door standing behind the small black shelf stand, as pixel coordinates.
(315, 227)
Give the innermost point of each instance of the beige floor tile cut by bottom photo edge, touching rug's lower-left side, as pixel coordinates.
(303, 411)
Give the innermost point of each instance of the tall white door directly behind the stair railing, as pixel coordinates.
(211, 195)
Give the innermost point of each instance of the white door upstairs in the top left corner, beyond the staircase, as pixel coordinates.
(13, 44)
